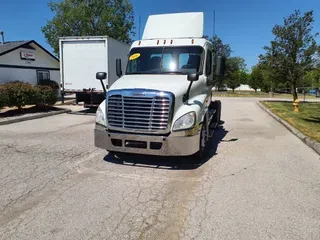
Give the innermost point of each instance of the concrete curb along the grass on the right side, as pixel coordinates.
(308, 141)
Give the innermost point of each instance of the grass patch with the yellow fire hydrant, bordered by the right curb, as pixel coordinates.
(307, 120)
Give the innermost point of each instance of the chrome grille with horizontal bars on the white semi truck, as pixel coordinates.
(128, 110)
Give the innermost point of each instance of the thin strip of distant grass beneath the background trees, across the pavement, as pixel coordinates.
(257, 94)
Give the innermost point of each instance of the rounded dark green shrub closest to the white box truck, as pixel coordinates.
(45, 96)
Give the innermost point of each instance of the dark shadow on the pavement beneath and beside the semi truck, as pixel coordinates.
(170, 163)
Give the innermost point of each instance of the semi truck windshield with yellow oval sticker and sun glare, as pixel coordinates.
(164, 60)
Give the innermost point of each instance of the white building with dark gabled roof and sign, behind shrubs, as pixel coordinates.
(27, 61)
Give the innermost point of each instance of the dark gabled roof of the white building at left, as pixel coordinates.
(7, 47)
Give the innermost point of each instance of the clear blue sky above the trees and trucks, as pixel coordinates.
(245, 24)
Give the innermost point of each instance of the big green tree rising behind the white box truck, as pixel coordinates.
(113, 18)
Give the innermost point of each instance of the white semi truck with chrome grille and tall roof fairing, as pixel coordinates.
(162, 104)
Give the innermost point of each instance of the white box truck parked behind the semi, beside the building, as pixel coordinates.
(81, 58)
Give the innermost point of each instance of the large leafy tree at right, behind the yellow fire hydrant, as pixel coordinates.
(291, 60)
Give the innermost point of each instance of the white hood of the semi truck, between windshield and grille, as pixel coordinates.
(177, 84)
